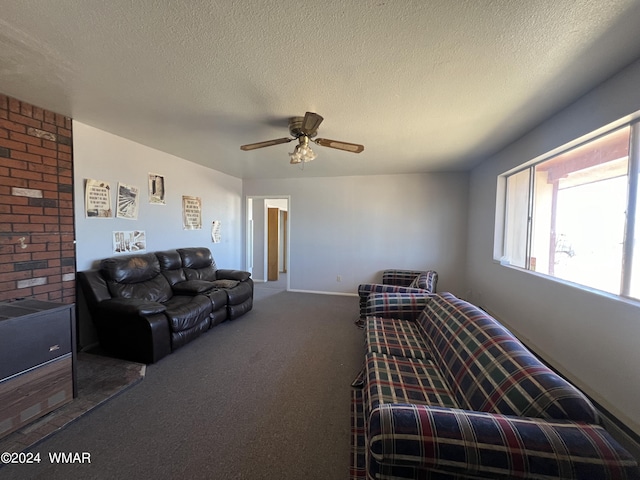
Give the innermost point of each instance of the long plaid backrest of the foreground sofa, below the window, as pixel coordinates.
(489, 370)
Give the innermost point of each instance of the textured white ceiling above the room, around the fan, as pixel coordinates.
(424, 85)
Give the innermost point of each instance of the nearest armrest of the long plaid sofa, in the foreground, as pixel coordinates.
(496, 446)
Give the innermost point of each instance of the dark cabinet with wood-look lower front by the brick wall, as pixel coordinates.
(37, 360)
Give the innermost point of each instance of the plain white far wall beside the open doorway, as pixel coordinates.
(355, 227)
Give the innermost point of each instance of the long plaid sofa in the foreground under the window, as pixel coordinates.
(453, 394)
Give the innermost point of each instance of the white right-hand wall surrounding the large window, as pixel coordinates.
(590, 337)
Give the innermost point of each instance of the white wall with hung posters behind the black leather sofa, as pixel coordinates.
(102, 156)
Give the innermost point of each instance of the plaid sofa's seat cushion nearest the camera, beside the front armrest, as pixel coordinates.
(392, 379)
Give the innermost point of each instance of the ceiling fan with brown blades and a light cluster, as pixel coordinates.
(304, 129)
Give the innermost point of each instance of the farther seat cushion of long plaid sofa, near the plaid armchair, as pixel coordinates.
(400, 338)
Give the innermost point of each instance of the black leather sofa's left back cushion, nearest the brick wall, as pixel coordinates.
(135, 276)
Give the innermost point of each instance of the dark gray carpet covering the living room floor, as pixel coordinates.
(266, 396)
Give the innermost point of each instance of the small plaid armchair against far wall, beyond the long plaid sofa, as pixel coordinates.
(405, 288)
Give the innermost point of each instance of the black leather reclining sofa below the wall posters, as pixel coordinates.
(145, 306)
